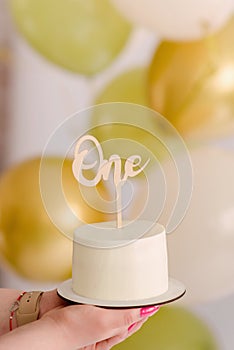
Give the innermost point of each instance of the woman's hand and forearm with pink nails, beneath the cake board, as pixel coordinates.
(62, 326)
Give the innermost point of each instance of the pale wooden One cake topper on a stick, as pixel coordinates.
(104, 169)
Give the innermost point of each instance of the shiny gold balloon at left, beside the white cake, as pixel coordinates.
(29, 241)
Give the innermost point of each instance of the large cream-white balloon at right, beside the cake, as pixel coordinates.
(201, 249)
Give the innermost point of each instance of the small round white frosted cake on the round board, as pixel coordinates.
(111, 264)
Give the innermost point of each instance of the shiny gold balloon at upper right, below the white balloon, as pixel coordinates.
(192, 84)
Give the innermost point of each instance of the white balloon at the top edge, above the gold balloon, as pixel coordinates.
(180, 19)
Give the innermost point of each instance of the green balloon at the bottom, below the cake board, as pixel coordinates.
(172, 328)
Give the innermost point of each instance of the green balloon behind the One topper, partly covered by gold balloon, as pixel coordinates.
(129, 87)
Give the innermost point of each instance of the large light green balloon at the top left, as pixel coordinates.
(82, 36)
